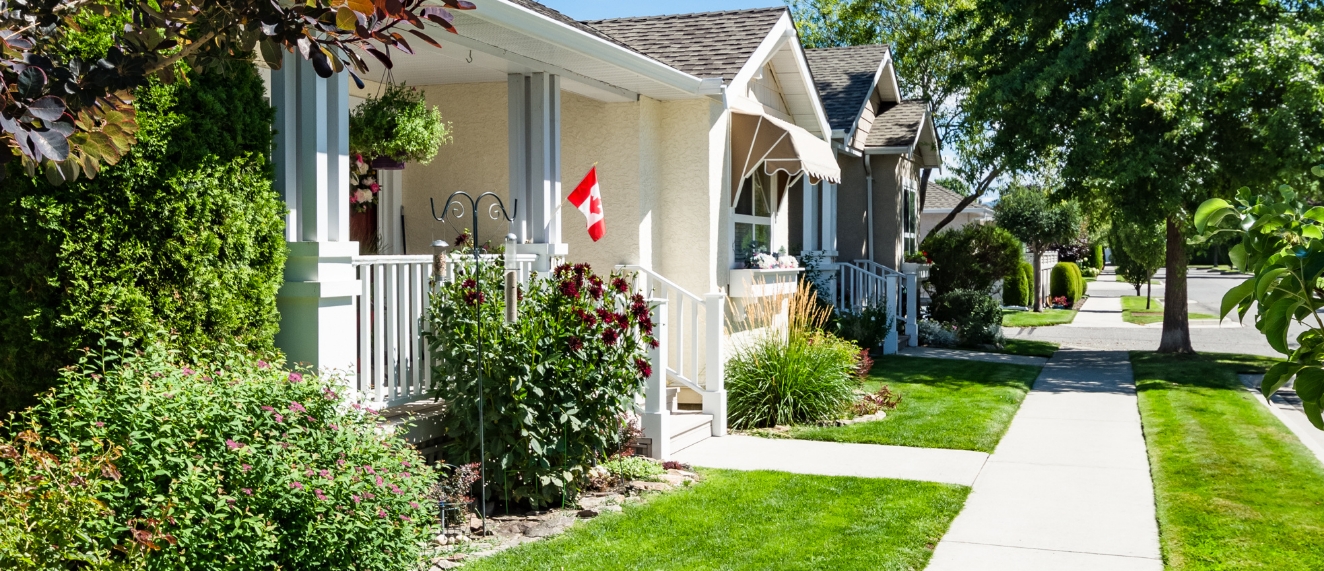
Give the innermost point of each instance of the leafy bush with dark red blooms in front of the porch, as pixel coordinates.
(557, 385)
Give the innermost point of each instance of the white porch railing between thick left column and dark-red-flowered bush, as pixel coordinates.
(394, 364)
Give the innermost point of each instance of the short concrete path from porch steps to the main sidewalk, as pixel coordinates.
(739, 452)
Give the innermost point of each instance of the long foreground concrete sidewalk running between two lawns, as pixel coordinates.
(1069, 486)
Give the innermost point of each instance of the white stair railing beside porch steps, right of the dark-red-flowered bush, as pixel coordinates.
(681, 337)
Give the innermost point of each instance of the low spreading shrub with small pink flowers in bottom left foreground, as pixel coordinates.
(231, 463)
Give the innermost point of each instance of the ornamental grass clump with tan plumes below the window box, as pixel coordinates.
(786, 369)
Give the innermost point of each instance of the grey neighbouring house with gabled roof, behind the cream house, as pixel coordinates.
(884, 145)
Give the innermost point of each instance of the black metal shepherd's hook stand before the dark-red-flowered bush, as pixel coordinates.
(497, 213)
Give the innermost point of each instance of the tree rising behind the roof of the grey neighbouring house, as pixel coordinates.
(927, 40)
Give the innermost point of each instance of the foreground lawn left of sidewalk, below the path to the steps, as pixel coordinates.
(757, 521)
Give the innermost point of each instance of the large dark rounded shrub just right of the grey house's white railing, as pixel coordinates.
(975, 256)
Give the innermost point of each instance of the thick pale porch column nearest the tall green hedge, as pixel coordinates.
(318, 324)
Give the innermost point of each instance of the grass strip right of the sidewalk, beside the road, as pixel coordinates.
(1235, 488)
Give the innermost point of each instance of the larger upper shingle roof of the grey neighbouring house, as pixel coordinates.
(845, 79)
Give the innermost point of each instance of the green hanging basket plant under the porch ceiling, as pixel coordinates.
(397, 128)
